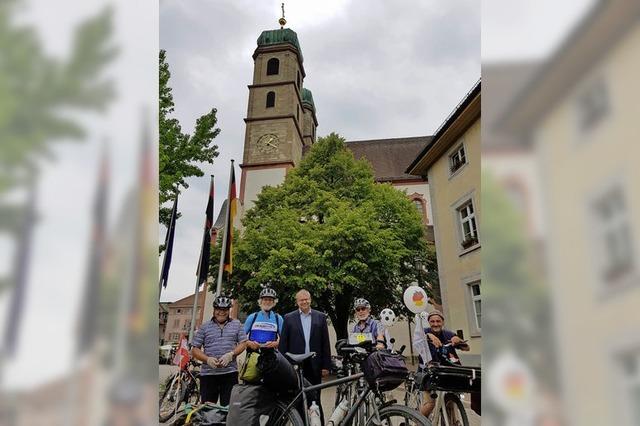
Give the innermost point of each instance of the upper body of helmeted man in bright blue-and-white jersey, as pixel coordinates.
(264, 326)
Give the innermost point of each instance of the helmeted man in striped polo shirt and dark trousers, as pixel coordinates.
(217, 343)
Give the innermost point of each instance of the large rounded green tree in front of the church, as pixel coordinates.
(331, 229)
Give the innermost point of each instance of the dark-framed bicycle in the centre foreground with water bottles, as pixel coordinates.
(368, 402)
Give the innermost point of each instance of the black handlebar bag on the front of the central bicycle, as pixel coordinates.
(384, 371)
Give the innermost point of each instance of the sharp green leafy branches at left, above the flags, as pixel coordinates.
(180, 153)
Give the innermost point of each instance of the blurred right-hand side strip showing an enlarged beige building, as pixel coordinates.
(560, 200)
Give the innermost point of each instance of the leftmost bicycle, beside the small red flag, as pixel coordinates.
(181, 387)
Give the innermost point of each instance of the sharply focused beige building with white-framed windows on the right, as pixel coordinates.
(451, 163)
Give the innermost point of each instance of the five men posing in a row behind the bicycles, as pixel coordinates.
(219, 341)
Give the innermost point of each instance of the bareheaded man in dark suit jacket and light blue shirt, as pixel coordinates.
(305, 330)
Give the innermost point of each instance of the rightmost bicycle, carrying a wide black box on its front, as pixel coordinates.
(445, 382)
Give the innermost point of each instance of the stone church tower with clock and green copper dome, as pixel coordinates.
(281, 121)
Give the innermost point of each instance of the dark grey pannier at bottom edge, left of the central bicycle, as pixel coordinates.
(248, 403)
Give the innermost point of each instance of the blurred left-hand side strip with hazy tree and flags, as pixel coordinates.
(78, 212)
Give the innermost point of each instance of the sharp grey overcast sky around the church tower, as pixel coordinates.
(377, 69)
